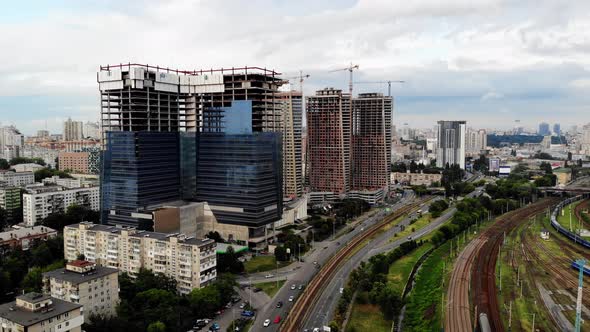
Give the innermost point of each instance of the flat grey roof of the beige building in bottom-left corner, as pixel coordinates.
(23, 317)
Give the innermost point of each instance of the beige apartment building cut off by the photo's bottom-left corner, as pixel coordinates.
(34, 312)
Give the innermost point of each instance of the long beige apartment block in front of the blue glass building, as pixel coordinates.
(190, 261)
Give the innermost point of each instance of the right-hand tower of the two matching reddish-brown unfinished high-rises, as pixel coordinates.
(371, 144)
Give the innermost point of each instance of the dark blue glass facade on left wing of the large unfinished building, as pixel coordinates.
(140, 169)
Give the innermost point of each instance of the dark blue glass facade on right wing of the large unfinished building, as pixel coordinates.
(240, 176)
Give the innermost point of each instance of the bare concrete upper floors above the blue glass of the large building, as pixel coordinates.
(150, 98)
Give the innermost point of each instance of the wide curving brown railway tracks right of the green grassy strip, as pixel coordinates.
(474, 275)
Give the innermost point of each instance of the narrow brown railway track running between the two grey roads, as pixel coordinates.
(299, 312)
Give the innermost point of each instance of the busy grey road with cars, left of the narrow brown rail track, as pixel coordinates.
(301, 276)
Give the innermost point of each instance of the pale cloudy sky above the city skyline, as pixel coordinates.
(489, 62)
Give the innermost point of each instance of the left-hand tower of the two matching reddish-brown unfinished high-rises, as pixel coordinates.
(328, 141)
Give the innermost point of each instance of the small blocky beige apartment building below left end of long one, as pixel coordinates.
(96, 288)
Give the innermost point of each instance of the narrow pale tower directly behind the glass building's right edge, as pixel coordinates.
(292, 154)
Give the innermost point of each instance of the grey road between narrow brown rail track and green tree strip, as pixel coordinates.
(326, 304)
